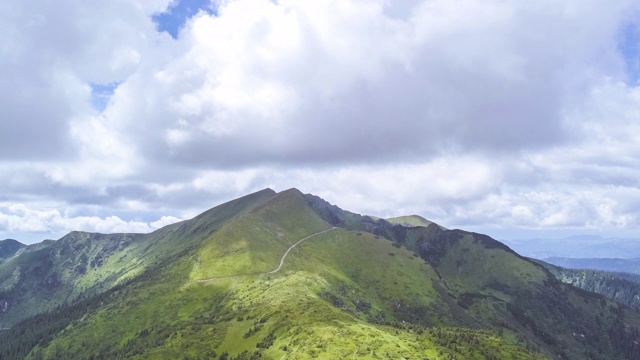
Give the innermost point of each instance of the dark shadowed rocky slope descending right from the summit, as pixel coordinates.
(486, 284)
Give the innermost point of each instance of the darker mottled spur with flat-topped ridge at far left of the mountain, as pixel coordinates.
(47, 275)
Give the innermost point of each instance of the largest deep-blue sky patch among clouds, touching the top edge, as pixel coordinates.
(177, 14)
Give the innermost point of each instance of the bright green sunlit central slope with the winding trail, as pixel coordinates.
(327, 301)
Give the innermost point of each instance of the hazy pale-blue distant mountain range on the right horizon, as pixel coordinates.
(577, 246)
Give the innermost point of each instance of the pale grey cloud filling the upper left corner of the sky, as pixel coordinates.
(49, 54)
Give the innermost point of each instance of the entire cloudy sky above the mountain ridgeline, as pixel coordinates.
(511, 118)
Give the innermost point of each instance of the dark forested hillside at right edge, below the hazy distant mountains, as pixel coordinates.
(620, 287)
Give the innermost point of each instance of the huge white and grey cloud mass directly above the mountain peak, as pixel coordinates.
(299, 82)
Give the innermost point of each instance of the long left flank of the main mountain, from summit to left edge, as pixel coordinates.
(44, 276)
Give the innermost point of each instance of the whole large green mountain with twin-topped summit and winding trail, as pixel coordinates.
(288, 275)
